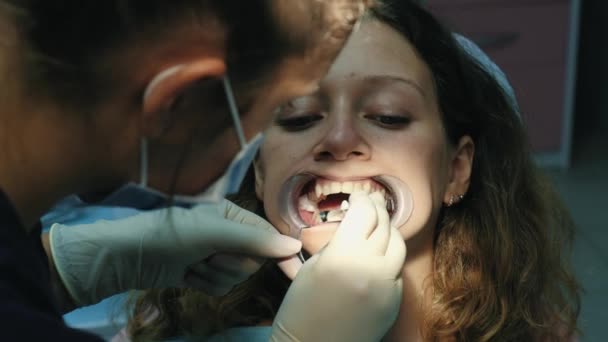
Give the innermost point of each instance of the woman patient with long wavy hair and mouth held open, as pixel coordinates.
(487, 238)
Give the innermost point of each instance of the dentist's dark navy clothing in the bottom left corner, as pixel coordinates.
(27, 309)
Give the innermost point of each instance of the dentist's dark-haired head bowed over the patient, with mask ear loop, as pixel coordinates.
(98, 94)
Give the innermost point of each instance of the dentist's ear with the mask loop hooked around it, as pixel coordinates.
(169, 84)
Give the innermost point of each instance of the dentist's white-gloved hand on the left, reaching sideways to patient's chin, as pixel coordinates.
(170, 247)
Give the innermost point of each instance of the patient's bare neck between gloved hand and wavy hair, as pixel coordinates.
(418, 267)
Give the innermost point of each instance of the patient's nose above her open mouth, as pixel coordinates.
(342, 141)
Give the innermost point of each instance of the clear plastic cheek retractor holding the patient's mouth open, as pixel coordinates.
(398, 196)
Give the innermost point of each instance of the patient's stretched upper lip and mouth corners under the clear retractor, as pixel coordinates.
(292, 188)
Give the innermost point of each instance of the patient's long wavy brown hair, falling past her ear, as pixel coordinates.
(501, 256)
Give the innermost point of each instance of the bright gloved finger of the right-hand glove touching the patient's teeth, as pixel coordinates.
(358, 223)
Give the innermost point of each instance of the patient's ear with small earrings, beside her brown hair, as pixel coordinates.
(461, 167)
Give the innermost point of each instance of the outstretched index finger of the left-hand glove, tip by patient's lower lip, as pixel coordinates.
(253, 240)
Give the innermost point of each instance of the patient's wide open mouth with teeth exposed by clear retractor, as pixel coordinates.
(309, 201)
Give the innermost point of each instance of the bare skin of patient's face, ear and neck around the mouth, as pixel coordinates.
(346, 137)
